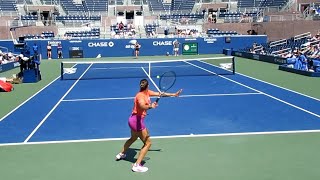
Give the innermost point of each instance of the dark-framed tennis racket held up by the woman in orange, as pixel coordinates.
(166, 82)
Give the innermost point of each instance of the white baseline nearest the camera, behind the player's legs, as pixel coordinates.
(165, 137)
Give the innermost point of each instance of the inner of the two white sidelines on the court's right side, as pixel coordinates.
(292, 105)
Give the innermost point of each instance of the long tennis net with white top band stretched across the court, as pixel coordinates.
(75, 70)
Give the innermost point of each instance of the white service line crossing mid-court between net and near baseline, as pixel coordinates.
(190, 95)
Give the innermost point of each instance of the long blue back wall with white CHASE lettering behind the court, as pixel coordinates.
(91, 48)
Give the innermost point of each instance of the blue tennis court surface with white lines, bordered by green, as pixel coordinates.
(94, 103)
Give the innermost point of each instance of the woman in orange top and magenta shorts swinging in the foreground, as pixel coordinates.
(142, 103)
